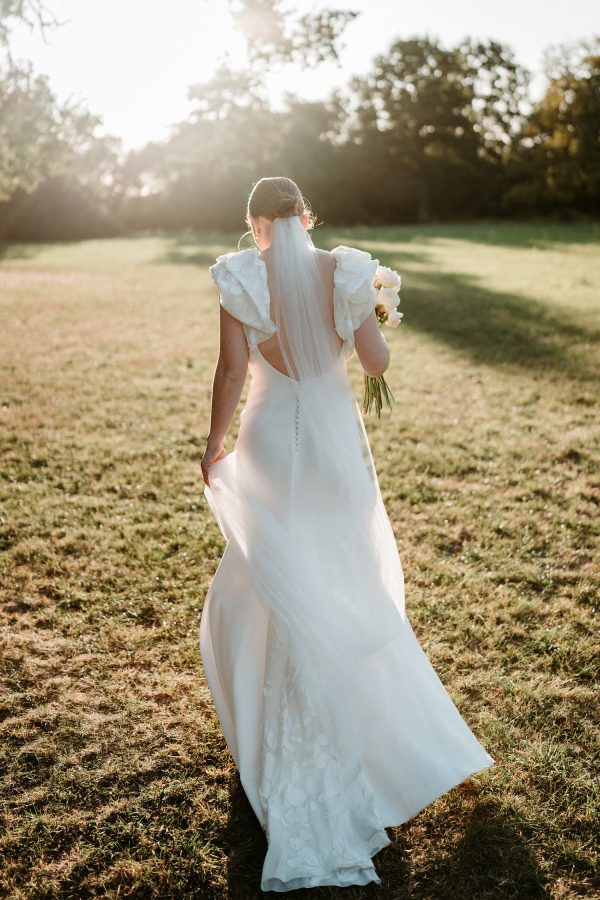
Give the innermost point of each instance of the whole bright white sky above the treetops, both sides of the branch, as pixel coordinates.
(131, 61)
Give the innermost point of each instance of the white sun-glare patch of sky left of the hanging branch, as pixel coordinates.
(133, 62)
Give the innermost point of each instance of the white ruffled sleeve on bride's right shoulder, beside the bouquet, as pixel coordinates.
(354, 295)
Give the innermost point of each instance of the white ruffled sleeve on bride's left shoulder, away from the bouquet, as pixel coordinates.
(243, 291)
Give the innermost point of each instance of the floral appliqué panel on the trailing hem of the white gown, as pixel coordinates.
(319, 809)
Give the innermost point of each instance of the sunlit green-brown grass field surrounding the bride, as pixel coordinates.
(116, 780)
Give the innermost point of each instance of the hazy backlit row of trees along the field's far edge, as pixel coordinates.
(431, 133)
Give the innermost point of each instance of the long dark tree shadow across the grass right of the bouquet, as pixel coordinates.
(491, 327)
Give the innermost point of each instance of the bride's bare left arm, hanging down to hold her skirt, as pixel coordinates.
(228, 383)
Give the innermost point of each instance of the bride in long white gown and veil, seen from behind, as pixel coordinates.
(331, 710)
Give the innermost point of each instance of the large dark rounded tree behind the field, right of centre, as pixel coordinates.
(438, 123)
